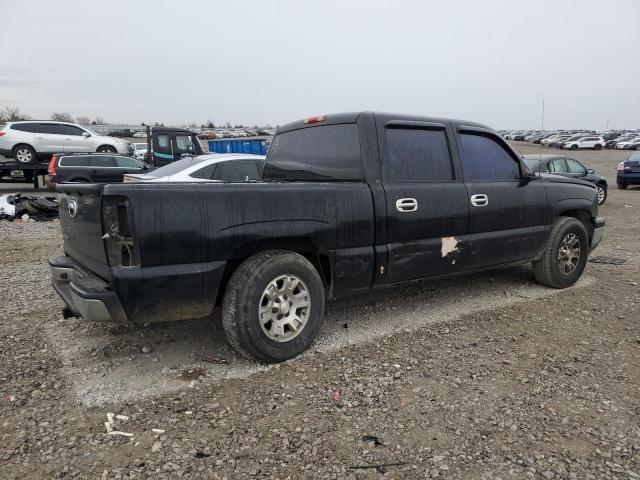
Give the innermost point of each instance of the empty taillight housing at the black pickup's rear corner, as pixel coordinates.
(118, 232)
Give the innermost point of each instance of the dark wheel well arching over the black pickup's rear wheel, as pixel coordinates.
(320, 260)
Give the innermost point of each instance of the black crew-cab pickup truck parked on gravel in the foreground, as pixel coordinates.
(349, 202)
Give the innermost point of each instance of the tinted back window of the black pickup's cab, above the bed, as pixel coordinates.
(328, 152)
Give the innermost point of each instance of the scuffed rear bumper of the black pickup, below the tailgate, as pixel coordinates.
(85, 294)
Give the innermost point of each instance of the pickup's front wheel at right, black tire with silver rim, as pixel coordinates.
(565, 254)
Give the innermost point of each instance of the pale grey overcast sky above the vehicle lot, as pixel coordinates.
(259, 61)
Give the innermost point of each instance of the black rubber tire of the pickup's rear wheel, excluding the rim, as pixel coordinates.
(245, 293)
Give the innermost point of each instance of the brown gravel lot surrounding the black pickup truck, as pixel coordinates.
(489, 376)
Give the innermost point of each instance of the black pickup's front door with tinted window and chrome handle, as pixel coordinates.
(508, 208)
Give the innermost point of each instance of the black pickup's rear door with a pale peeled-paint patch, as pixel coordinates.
(426, 201)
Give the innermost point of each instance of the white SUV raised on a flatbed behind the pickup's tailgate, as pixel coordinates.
(29, 141)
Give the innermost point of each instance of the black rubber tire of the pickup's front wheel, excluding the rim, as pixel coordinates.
(546, 269)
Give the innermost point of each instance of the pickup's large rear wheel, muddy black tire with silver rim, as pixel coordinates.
(273, 306)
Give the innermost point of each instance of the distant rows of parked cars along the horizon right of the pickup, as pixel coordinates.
(577, 139)
